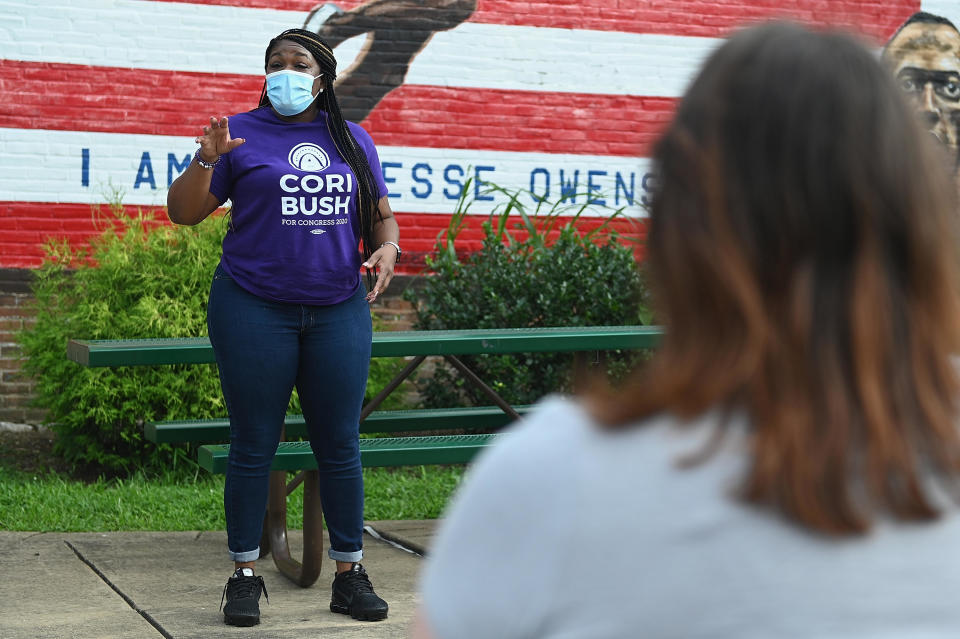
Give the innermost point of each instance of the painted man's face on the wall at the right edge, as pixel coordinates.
(924, 56)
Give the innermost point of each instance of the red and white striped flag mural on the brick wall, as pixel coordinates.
(101, 99)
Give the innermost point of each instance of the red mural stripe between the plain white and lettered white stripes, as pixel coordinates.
(117, 100)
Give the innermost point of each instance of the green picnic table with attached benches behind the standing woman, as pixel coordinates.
(391, 451)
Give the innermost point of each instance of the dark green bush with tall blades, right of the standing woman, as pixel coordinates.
(540, 273)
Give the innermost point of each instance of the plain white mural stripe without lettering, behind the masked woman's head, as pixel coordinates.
(176, 37)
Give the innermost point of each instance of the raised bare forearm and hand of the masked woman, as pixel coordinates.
(189, 200)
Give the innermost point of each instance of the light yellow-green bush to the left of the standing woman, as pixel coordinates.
(139, 279)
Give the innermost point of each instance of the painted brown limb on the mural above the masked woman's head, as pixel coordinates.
(397, 30)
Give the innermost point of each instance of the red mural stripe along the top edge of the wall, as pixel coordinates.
(877, 18)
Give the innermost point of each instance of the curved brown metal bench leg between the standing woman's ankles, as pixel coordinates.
(275, 529)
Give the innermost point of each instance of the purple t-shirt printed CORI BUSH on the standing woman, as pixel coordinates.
(294, 231)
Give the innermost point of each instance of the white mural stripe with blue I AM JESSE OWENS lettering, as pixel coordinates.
(71, 166)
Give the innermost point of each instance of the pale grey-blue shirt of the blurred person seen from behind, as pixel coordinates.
(563, 530)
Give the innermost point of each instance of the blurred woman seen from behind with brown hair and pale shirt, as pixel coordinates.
(787, 464)
